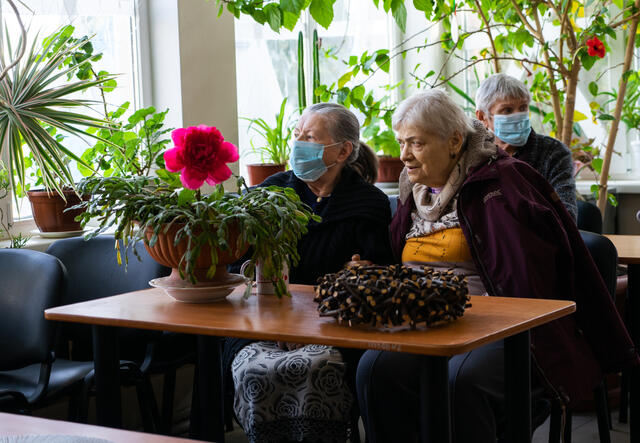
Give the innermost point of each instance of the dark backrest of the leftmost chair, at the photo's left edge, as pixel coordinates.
(32, 281)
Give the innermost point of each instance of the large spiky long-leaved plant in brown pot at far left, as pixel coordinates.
(34, 105)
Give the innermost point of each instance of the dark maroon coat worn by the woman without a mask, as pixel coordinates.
(525, 244)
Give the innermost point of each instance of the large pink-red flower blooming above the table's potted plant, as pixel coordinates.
(200, 154)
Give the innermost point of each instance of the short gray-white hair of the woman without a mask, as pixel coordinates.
(435, 112)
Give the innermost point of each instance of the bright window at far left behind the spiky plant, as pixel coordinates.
(113, 27)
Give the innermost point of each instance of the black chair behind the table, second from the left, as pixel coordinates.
(94, 273)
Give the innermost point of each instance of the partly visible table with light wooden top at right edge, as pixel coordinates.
(628, 247)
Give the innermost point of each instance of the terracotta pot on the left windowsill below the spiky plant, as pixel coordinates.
(48, 210)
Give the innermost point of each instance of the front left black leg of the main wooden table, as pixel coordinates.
(107, 376)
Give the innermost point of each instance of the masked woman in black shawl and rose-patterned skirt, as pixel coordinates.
(288, 391)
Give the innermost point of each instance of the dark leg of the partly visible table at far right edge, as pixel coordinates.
(633, 314)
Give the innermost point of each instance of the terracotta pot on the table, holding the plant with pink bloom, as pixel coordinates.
(166, 253)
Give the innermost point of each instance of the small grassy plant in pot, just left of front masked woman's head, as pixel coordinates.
(273, 148)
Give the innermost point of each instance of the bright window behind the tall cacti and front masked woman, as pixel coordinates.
(267, 62)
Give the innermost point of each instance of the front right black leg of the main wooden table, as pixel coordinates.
(435, 410)
